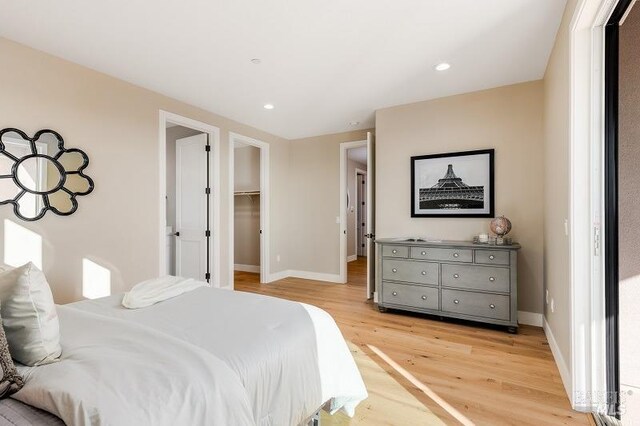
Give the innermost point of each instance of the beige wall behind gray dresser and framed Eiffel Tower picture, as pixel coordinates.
(508, 119)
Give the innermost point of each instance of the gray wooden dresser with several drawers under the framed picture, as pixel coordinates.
(450, 279)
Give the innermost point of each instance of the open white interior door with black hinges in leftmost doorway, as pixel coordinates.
(191, 207)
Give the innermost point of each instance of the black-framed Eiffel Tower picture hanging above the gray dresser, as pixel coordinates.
(469, 211)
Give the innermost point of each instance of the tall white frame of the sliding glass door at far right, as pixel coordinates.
(585, 376)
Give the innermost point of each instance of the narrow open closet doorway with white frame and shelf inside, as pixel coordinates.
(249, 206)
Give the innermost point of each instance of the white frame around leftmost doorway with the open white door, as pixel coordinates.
(213, 133)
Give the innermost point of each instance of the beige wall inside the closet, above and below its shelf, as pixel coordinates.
(247, 208)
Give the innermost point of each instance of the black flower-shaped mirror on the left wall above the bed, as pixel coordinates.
(39, 174)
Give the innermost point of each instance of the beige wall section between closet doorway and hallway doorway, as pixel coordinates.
(315, 202)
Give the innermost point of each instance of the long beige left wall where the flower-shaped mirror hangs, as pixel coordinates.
(116, 124)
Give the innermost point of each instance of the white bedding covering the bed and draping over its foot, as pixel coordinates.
(288, 358)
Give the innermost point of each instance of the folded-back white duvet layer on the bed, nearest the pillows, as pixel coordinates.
(116, 373)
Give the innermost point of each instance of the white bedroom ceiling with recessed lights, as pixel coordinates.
(324, 63)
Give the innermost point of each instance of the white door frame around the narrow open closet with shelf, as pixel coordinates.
(264, 205)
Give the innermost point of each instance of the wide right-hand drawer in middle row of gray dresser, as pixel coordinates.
(476, 277)
